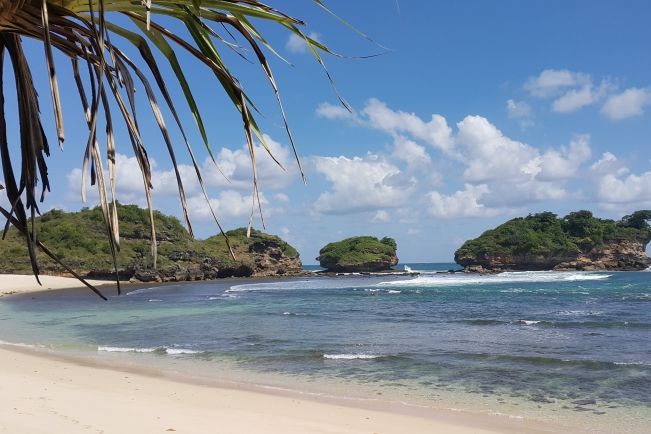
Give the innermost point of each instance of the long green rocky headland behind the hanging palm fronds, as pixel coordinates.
(79, 239)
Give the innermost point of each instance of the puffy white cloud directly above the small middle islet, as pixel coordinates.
(361, 184)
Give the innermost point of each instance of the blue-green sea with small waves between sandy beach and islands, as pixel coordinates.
(572, 348)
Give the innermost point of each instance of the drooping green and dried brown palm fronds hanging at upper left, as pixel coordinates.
(85, 31)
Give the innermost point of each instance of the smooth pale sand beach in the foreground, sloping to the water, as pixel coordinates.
(93, 391)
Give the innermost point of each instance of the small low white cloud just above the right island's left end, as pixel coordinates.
(463, 203)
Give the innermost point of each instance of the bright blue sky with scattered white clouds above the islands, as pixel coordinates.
(472, 113)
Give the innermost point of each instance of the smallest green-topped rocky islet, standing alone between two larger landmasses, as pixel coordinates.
(359, 254)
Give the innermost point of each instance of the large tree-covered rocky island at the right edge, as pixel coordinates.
(578, 241)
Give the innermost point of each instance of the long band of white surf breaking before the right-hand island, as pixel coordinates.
(507, 277)
